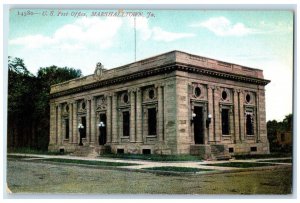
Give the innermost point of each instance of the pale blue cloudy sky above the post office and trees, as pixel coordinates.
(79, 39)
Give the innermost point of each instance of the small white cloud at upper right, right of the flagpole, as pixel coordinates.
(221, 26)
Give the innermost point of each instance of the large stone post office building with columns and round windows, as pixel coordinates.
(173, 103)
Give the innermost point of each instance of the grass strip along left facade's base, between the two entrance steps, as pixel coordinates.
(154, 157)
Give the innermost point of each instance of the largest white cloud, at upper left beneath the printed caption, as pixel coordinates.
(77, 35)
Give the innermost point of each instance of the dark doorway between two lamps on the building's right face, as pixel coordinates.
(198, 125)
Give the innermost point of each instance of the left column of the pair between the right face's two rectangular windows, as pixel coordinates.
(236, 115)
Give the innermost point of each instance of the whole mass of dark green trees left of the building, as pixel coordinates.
(28, 102)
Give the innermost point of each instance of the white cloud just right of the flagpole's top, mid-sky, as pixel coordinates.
(157, 33)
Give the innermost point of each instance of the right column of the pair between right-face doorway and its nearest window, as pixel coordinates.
(218, 129)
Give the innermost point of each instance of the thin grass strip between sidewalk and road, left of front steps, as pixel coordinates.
(86, 162)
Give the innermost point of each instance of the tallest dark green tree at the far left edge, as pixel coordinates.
(21, 98)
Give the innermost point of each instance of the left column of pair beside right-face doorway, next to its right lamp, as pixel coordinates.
(211, 128)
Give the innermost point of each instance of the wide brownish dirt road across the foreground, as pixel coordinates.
(38, 177)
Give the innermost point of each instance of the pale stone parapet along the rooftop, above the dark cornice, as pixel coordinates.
(172, 57)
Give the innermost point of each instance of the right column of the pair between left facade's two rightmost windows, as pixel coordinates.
(139, 134)
